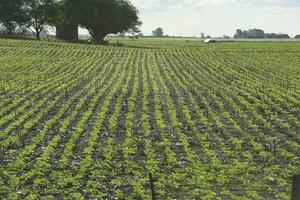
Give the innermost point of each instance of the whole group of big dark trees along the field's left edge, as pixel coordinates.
(99, 17)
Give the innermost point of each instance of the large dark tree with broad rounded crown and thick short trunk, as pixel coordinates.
(103, 17)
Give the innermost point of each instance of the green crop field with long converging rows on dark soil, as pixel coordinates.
(167, 119)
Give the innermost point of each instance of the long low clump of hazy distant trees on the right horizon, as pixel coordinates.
(258, 33)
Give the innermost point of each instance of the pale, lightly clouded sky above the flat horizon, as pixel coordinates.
(218, 17)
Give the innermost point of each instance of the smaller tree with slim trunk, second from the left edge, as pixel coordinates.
(39, 13)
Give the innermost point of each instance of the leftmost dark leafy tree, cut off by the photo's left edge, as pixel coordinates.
(12, 14)
